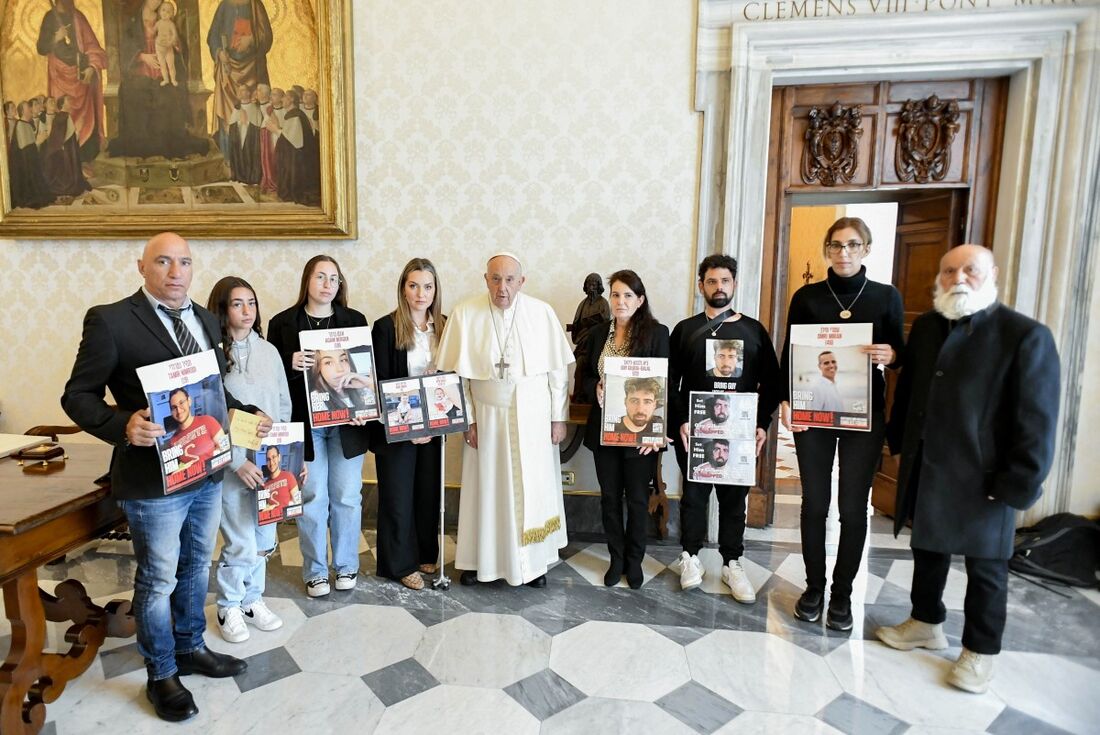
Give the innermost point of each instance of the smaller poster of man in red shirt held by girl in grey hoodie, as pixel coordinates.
(281, 458)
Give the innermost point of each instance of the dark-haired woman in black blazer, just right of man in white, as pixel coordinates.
(633, 332)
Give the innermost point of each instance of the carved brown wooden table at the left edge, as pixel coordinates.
(46, 513)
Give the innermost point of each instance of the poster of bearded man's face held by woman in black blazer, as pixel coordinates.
(635, 391)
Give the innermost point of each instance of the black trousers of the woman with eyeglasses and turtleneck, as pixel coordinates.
(860, 453)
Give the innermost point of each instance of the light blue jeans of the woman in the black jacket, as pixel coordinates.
(333, 502)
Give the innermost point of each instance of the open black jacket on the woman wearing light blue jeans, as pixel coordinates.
(283, 333)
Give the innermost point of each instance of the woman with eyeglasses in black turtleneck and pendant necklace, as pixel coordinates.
(845, 297)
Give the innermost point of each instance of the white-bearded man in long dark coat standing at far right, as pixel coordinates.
(974, 416)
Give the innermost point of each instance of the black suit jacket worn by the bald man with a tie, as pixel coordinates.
(118, 339)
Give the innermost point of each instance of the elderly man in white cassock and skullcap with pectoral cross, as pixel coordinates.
(513, 356)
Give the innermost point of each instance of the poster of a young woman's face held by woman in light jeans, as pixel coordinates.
(342, 386)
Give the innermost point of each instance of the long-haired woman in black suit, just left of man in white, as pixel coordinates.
(405, 344)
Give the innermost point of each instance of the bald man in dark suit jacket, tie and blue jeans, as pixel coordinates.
(173, 535)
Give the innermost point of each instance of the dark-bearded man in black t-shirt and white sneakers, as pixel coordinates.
(688, 371)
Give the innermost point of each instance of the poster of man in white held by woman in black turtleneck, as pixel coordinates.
(831, 377)
